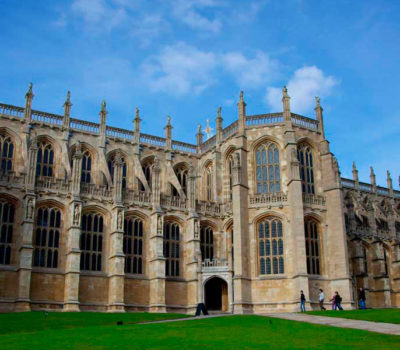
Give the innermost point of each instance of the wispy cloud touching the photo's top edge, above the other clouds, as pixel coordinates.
(189, 12)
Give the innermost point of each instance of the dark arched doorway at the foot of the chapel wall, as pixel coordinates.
(216, 294)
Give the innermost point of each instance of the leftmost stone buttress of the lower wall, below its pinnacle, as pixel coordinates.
(25, 255)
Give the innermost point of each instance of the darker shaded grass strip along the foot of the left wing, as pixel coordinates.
(39, 321)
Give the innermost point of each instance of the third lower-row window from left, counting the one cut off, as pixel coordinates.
(91, 242)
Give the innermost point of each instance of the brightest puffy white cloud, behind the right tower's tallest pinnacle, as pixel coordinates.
(306, 83)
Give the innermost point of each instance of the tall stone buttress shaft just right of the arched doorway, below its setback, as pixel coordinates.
(241, 279)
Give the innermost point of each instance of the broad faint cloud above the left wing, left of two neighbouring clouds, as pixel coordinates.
(179, 69)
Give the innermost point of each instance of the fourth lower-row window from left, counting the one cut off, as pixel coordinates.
(133, 245)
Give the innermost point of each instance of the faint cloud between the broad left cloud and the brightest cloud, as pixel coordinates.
(250, 72)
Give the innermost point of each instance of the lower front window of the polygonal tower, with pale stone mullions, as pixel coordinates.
(270, 243)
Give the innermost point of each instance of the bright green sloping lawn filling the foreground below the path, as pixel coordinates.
(232, 332)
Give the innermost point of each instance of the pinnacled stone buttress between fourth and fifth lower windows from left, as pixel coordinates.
(156, 255)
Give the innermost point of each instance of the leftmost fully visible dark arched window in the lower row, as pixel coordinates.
(46, 238)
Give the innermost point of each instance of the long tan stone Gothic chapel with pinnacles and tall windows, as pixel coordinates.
(94, 217)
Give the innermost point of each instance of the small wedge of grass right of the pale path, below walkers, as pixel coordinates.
(376, 315)
